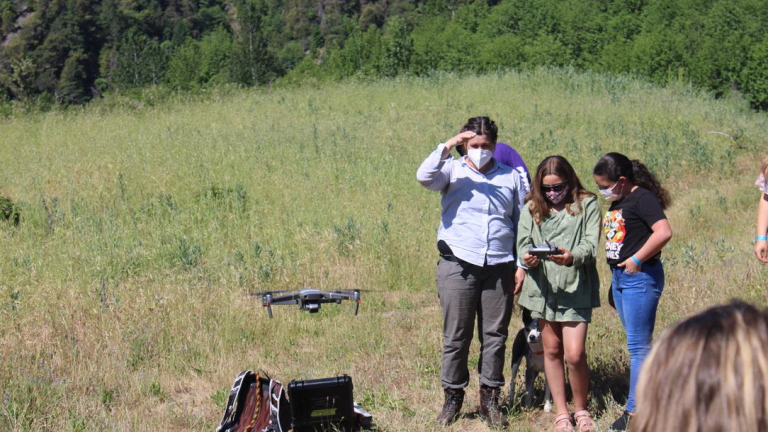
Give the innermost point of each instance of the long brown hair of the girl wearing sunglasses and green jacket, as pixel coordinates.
(559, 166)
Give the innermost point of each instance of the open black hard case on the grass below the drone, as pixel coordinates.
(322, 404)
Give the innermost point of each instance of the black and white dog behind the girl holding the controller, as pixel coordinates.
(528, 345)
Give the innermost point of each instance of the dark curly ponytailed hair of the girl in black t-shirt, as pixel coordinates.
(615, 165)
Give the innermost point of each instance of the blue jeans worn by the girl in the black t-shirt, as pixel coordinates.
(636, 297)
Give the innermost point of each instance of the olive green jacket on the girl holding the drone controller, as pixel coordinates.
(576, 286)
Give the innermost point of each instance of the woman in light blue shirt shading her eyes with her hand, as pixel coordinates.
(481, 204)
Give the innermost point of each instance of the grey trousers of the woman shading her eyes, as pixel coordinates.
(467, 291)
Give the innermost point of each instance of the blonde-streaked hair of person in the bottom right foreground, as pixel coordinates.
(707, 373)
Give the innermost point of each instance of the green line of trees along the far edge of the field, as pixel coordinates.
(70, 51)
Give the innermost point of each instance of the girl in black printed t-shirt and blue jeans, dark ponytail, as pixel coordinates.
(636, 229)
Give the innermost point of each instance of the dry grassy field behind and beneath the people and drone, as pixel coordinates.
(125, 292)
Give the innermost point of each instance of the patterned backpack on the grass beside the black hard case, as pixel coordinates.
(256, 404)
